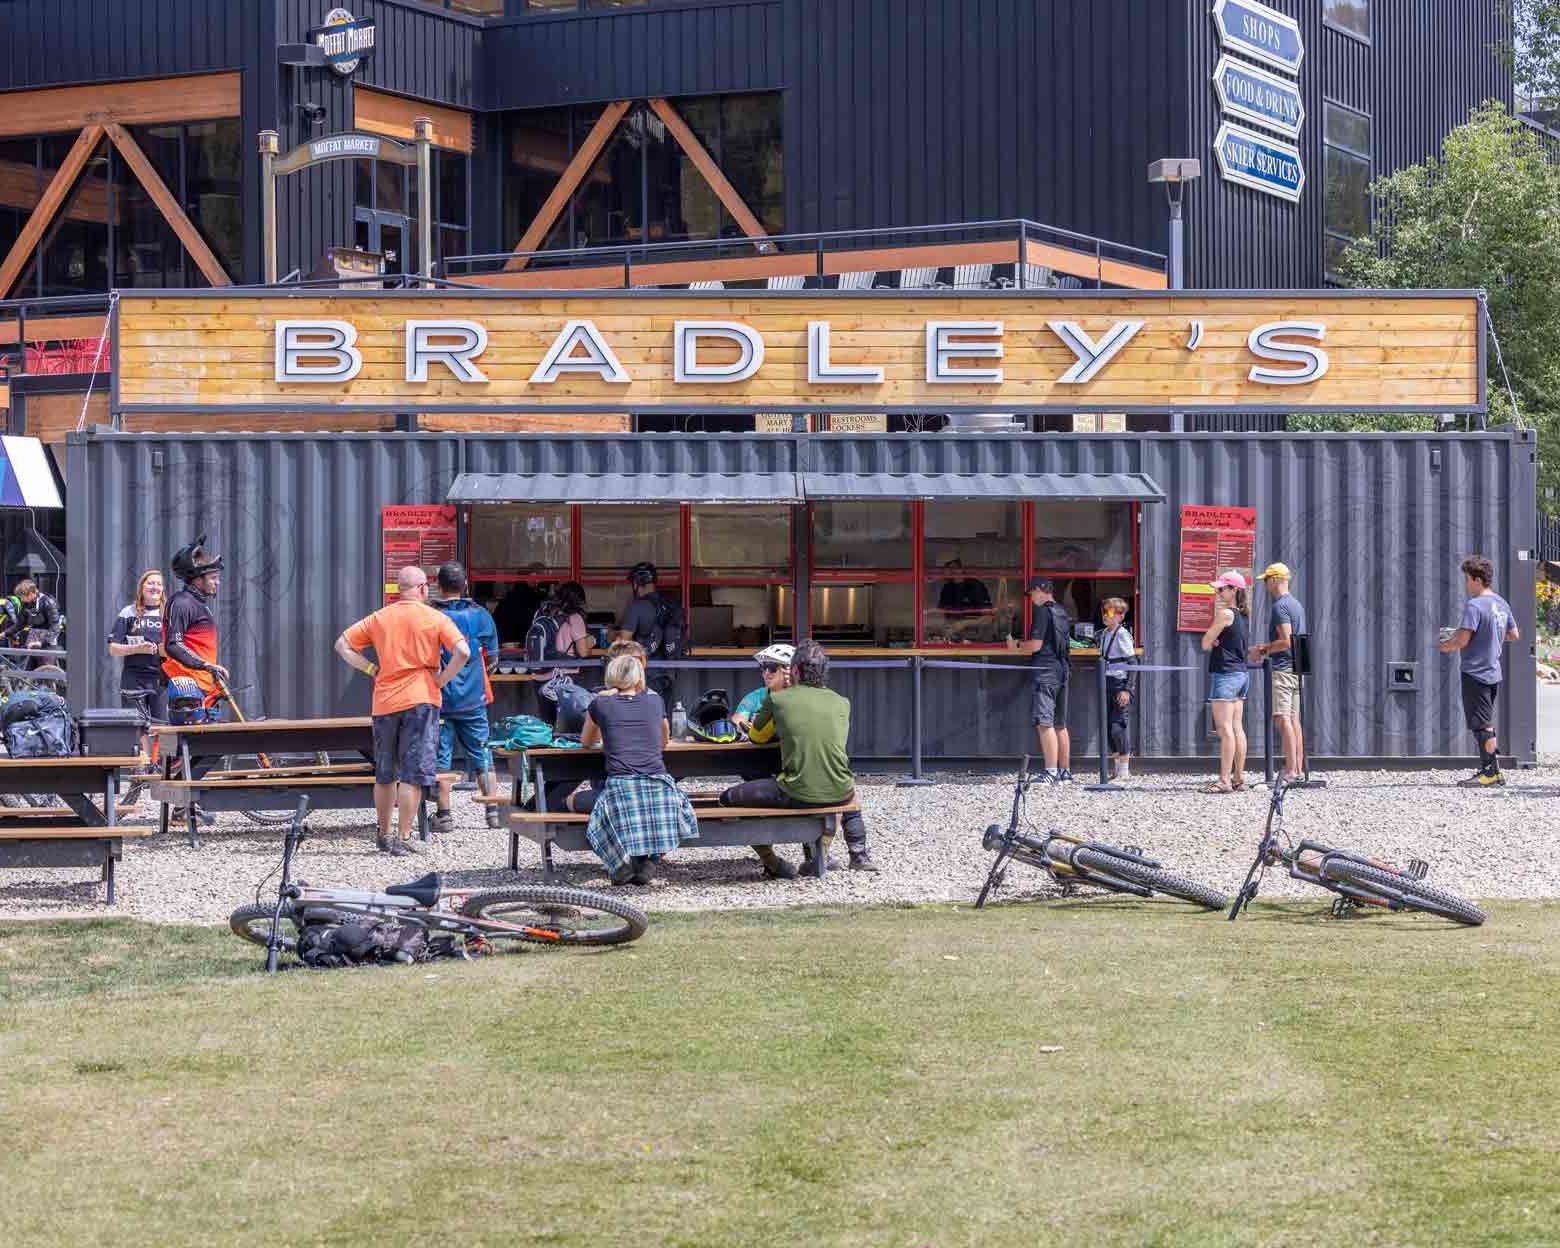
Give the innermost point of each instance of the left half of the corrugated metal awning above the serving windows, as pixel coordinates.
(626, 487)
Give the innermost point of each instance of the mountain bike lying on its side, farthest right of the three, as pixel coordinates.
(1360, 882)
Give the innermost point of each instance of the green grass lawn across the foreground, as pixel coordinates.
(1104, 1072)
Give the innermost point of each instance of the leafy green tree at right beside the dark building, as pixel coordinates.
(1484, 214)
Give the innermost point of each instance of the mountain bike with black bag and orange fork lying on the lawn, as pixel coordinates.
(422, 921)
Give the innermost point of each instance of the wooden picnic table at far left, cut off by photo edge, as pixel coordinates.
(85, 832)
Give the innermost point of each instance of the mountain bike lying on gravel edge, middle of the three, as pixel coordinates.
(1072, 862)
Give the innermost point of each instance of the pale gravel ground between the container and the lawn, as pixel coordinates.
(927, 842)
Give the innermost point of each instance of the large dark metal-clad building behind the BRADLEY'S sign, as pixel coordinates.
(874, 113)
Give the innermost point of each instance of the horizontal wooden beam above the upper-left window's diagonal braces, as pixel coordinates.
(196, 99)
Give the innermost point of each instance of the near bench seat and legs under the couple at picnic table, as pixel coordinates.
(720, 828)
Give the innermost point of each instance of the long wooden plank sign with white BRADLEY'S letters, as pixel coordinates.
(672, 352)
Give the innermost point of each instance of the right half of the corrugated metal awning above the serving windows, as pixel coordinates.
(1044, 487)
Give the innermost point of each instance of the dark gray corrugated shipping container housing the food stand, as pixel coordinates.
(1374, 525)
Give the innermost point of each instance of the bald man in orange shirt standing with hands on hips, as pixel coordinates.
(408, 690)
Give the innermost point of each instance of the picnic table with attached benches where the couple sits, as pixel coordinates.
(720, 828)
